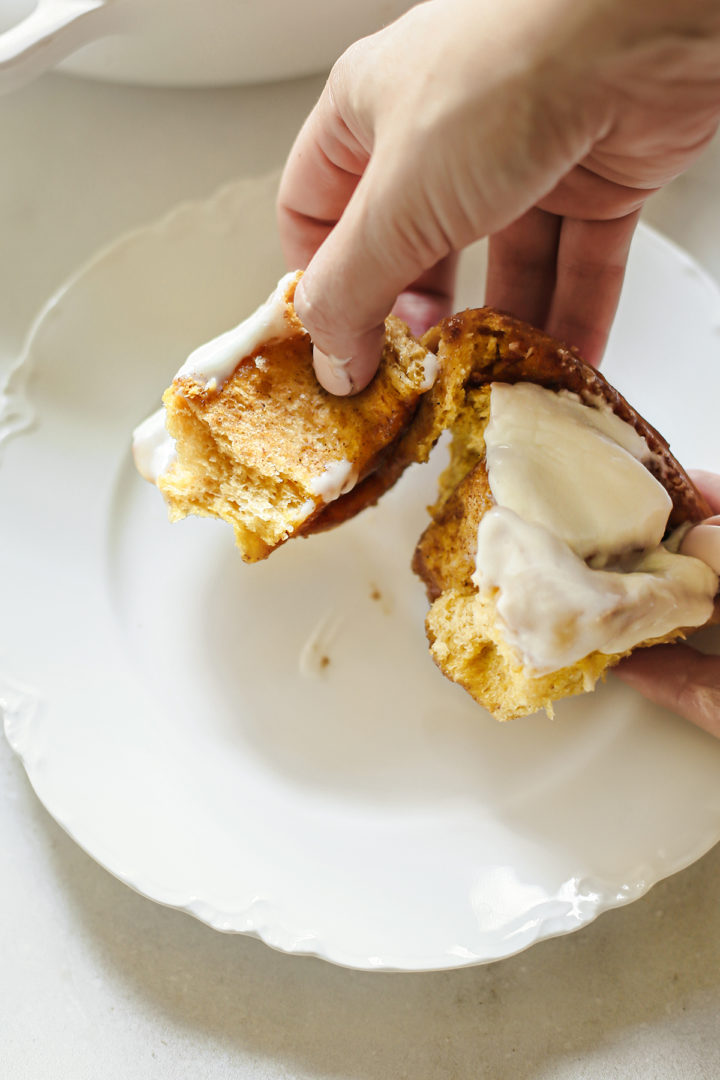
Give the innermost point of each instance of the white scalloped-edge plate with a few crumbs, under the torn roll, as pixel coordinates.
(171, 706)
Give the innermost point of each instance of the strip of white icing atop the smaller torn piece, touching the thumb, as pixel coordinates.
(219, 359)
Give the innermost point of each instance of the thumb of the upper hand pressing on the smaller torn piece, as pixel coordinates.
(384, 241)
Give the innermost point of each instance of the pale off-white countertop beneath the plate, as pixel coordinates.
(97, 981)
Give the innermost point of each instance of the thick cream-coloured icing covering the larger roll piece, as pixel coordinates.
(572, 497)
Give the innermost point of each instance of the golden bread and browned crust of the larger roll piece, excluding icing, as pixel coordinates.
(477, 348)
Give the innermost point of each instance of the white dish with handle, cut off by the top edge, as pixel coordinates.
(183, 43)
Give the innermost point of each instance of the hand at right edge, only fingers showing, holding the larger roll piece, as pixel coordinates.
(678, 677)
